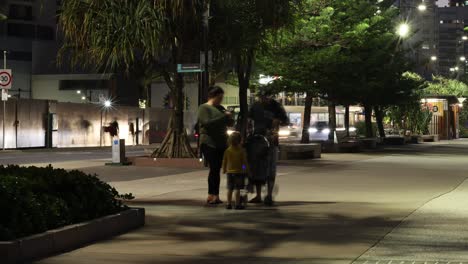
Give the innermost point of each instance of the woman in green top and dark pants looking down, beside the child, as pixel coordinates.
(213, 120)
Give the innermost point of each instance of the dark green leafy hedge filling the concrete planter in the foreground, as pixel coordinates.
(33, 200)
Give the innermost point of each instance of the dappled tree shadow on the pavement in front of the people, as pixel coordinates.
(261, 234)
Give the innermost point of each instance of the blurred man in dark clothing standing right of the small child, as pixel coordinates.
(266, 116)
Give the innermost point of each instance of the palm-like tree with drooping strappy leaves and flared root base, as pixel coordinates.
(145, 38)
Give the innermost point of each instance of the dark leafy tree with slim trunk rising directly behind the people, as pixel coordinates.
(240, 29)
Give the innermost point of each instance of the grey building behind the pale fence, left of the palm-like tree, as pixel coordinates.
(32, 39)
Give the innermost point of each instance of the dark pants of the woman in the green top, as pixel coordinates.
(214, 158)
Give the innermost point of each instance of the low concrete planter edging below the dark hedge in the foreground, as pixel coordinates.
(70, 237)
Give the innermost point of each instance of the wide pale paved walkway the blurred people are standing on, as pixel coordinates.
(341, 209)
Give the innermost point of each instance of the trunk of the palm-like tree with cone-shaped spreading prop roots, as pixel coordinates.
(176, 143)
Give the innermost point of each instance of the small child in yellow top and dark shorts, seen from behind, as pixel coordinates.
(235, 167)
